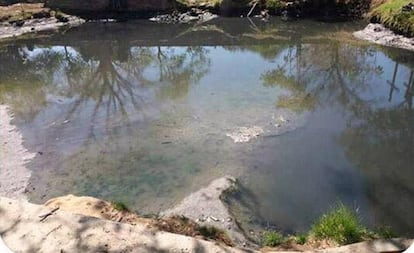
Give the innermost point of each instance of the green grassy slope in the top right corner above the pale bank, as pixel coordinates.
(397, 15)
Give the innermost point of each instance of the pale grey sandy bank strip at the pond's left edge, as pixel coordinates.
(14, 175)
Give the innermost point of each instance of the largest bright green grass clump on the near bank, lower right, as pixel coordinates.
(341, 225)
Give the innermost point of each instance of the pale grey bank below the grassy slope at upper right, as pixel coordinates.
(378, 34)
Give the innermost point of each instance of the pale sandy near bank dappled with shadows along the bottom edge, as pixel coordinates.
(26, 227)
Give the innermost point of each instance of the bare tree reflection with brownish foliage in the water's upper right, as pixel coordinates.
(322, 71)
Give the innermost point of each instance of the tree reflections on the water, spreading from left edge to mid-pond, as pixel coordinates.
(108, 77)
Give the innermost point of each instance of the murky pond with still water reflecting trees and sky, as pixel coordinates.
(141, 113)
